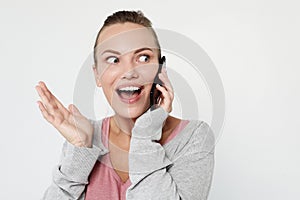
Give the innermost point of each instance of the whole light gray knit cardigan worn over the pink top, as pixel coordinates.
(180, 169)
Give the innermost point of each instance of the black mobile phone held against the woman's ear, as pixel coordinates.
(155, 93)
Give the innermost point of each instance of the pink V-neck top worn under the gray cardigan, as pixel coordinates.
(104, 182)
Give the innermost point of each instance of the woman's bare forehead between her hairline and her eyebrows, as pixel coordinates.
(125, 37)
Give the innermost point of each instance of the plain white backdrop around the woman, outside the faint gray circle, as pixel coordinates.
(254, 45)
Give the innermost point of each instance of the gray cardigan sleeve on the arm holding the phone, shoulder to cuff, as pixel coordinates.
(154, 176)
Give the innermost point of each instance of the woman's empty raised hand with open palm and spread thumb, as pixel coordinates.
(76, 128)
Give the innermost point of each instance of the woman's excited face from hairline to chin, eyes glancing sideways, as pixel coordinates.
(127, 62)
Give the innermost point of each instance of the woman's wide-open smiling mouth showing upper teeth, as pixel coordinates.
(130, 94)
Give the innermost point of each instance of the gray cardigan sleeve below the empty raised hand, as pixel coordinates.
(70, 176)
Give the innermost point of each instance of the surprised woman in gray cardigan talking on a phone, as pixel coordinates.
(138, 153)
